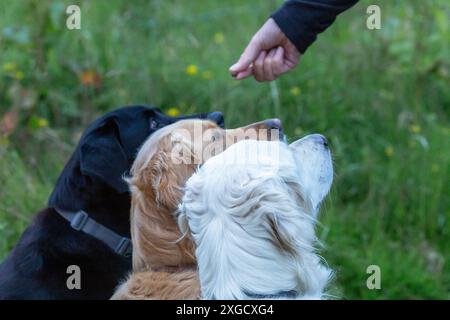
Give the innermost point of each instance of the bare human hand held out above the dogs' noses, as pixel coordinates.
(268, 55)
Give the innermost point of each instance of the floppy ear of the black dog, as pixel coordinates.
(103, 157)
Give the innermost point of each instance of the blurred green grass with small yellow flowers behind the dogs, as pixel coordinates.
(382, 97)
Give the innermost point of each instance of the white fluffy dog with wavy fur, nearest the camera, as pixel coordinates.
(251, 212)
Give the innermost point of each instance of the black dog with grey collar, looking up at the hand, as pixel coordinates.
(41, 265)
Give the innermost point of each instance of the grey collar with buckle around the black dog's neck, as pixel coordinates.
(81, 221)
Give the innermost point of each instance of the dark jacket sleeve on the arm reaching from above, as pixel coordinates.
(302, 20)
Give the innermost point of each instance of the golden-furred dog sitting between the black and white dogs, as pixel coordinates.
(158, 176)
